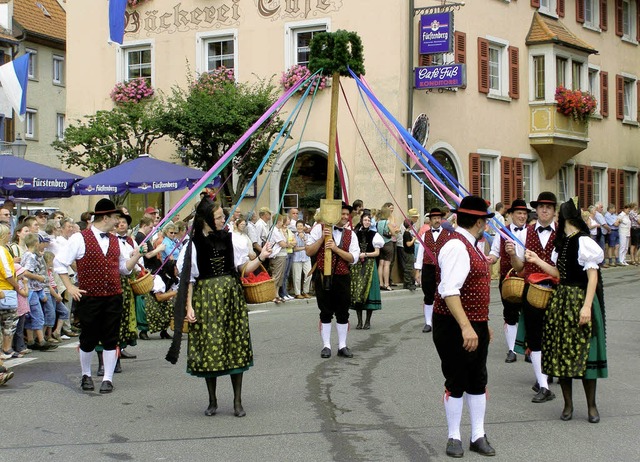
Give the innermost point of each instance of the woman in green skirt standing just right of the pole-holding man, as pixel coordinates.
(365, 286)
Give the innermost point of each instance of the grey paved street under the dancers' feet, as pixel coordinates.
(384, 404)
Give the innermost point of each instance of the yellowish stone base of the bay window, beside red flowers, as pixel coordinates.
(556, 137)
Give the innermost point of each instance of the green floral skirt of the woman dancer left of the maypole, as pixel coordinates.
(219, 341)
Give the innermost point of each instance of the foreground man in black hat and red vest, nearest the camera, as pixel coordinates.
(460, 325)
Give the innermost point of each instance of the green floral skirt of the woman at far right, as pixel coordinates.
(568, 349)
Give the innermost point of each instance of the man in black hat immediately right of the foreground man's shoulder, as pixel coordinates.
(511, 311)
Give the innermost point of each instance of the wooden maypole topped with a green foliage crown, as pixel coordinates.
(335, 53)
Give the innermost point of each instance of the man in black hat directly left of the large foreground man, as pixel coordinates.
(434, 238)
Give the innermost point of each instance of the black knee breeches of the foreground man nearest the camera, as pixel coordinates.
(464, 371)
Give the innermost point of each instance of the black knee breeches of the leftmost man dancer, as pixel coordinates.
(100, 321)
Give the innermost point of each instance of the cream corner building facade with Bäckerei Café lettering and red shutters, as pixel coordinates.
(500, 135)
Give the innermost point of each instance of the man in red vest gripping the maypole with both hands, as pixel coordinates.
(334, 299)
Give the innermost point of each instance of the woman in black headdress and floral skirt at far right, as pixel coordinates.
(573, 340)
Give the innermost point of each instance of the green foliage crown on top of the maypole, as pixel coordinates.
(336, 52)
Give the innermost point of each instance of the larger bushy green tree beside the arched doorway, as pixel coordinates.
(211, 115)
